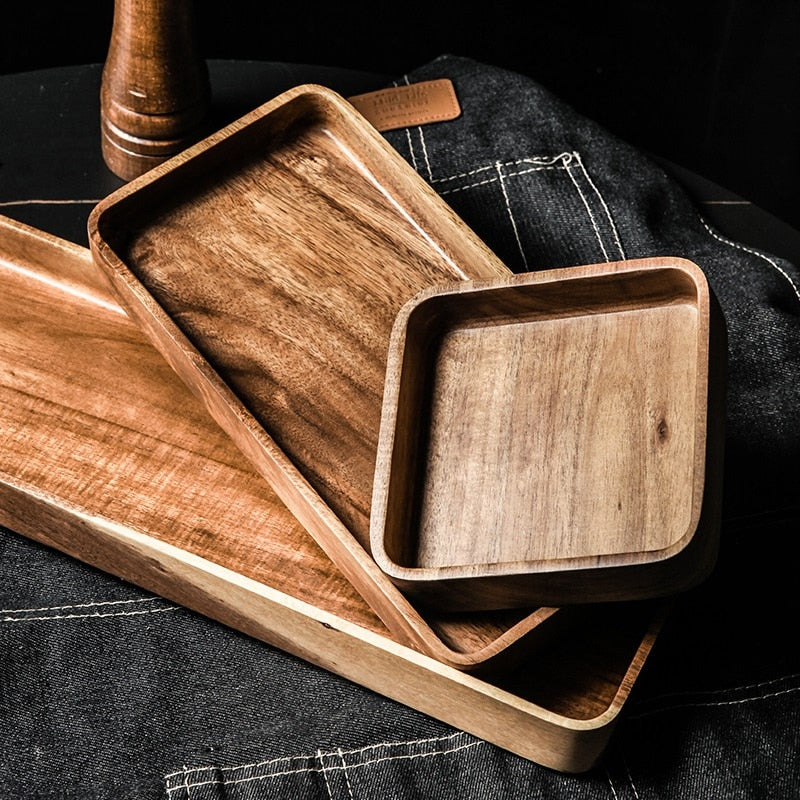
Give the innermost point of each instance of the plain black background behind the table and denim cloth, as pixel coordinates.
(713, 86)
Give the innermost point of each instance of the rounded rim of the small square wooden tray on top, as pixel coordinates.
(411, 577)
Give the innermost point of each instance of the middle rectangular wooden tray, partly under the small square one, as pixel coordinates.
(267, 264)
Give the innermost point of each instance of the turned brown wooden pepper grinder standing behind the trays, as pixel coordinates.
(155, 90)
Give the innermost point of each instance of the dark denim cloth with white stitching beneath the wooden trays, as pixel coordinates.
(108, 692)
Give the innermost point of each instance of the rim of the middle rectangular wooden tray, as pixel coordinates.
(230, 412)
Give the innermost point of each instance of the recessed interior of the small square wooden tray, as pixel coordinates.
(553, 425)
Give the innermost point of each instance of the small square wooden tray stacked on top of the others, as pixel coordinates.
(544, 438)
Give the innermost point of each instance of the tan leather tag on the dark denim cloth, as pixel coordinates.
(405, 106)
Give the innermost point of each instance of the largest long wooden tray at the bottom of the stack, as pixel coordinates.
(106, 456)
